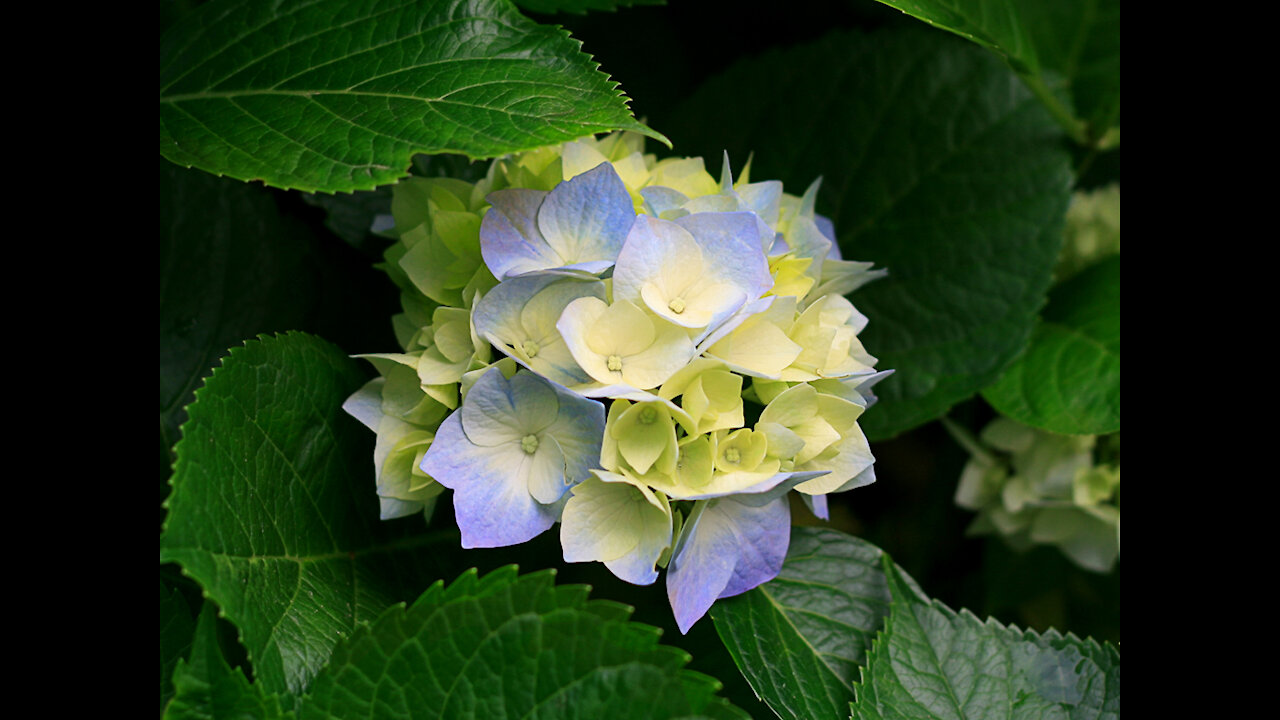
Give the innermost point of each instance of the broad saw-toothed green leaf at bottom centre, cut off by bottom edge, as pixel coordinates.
(508, 646)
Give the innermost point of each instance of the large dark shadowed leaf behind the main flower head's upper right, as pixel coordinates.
(939, 166)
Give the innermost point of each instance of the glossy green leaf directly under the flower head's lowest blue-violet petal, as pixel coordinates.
(801, 639)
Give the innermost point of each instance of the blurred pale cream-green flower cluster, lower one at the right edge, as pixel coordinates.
(1035, 487)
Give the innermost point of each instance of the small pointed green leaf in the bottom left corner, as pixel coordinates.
(211, 689)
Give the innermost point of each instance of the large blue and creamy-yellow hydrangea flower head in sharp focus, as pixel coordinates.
(630, 348)
